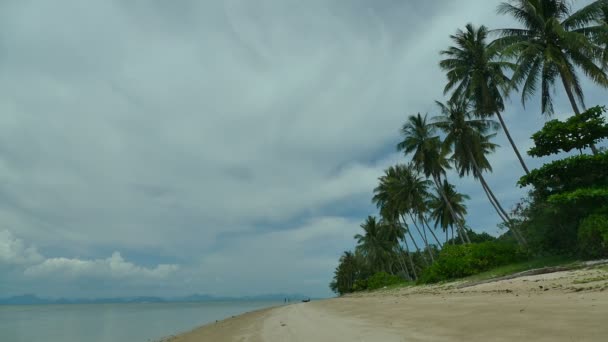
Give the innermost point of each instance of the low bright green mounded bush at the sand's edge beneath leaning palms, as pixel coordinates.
(464, 260)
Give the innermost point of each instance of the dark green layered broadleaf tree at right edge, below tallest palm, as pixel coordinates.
(568, 190)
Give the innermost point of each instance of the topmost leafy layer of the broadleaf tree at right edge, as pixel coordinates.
(577, 132)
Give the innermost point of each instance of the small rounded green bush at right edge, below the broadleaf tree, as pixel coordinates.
(593, 236)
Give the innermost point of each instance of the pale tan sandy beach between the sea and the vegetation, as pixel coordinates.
(562, 306)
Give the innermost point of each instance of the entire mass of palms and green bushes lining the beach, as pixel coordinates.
(421, 233)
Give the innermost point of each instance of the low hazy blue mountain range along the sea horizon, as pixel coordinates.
(30, 299)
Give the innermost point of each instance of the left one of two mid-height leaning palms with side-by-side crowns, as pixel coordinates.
(429, 154)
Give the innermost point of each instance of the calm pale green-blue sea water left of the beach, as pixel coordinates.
(112, 322)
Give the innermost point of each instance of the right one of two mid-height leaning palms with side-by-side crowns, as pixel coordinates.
(468, 137)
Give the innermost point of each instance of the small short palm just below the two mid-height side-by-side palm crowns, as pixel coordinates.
(440, 212)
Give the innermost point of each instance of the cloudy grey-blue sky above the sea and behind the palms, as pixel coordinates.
(222, 147)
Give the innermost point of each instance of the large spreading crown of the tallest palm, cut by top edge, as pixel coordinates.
(552, 44)
